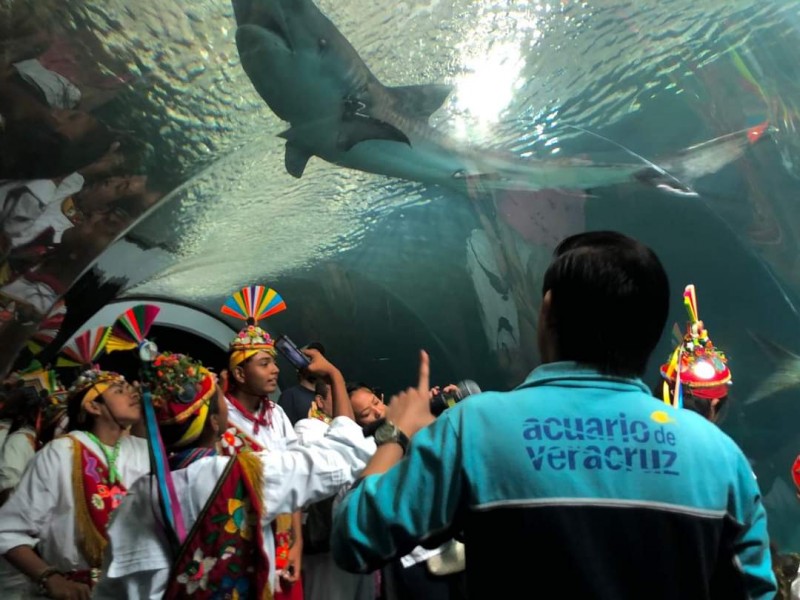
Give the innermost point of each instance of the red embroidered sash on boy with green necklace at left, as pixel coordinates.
(95, 499)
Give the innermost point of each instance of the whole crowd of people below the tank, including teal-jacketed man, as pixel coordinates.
(580, 482)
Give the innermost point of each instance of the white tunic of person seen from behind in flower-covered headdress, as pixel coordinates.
(138, 559)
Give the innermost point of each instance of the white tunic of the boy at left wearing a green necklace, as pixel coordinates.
(42, 509)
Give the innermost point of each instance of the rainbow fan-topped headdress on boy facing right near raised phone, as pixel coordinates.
(252, 304)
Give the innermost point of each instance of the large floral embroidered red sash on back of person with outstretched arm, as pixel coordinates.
(223, 555)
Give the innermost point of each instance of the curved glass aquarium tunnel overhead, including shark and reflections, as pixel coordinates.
(417, 196)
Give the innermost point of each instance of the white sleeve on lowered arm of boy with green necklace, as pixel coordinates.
(22, 518)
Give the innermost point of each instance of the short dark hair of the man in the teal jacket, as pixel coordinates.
(609, 301)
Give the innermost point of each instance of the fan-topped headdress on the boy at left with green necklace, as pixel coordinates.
(81, 352)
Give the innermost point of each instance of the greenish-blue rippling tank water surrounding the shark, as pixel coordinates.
(377, 267)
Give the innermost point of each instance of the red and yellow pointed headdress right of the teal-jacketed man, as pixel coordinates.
(695, 363)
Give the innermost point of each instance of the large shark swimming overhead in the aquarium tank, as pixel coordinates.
(311, 77)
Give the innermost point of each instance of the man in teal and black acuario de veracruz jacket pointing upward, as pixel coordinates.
(577, 470)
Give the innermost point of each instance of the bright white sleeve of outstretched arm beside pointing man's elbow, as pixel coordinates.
(302, 475)
